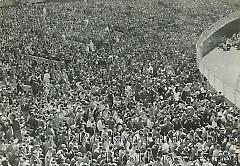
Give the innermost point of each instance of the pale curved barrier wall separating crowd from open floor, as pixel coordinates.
(209, 40)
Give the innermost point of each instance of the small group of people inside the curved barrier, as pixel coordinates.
(233, 42)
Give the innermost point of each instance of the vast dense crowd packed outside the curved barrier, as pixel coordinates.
(109, 84)
